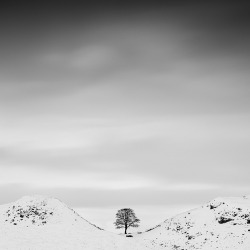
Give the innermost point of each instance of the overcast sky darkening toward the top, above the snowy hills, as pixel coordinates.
(136, 104)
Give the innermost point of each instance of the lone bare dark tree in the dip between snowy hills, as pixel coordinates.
(126, 218)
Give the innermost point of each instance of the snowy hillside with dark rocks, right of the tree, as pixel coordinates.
(223, 223)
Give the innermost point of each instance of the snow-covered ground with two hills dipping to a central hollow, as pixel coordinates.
(44, 223)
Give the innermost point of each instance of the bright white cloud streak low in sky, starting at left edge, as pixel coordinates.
(37, 177)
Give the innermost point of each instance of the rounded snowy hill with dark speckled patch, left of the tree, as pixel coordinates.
(38, 222)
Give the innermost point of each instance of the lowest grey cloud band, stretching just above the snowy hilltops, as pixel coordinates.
(91, 197)
